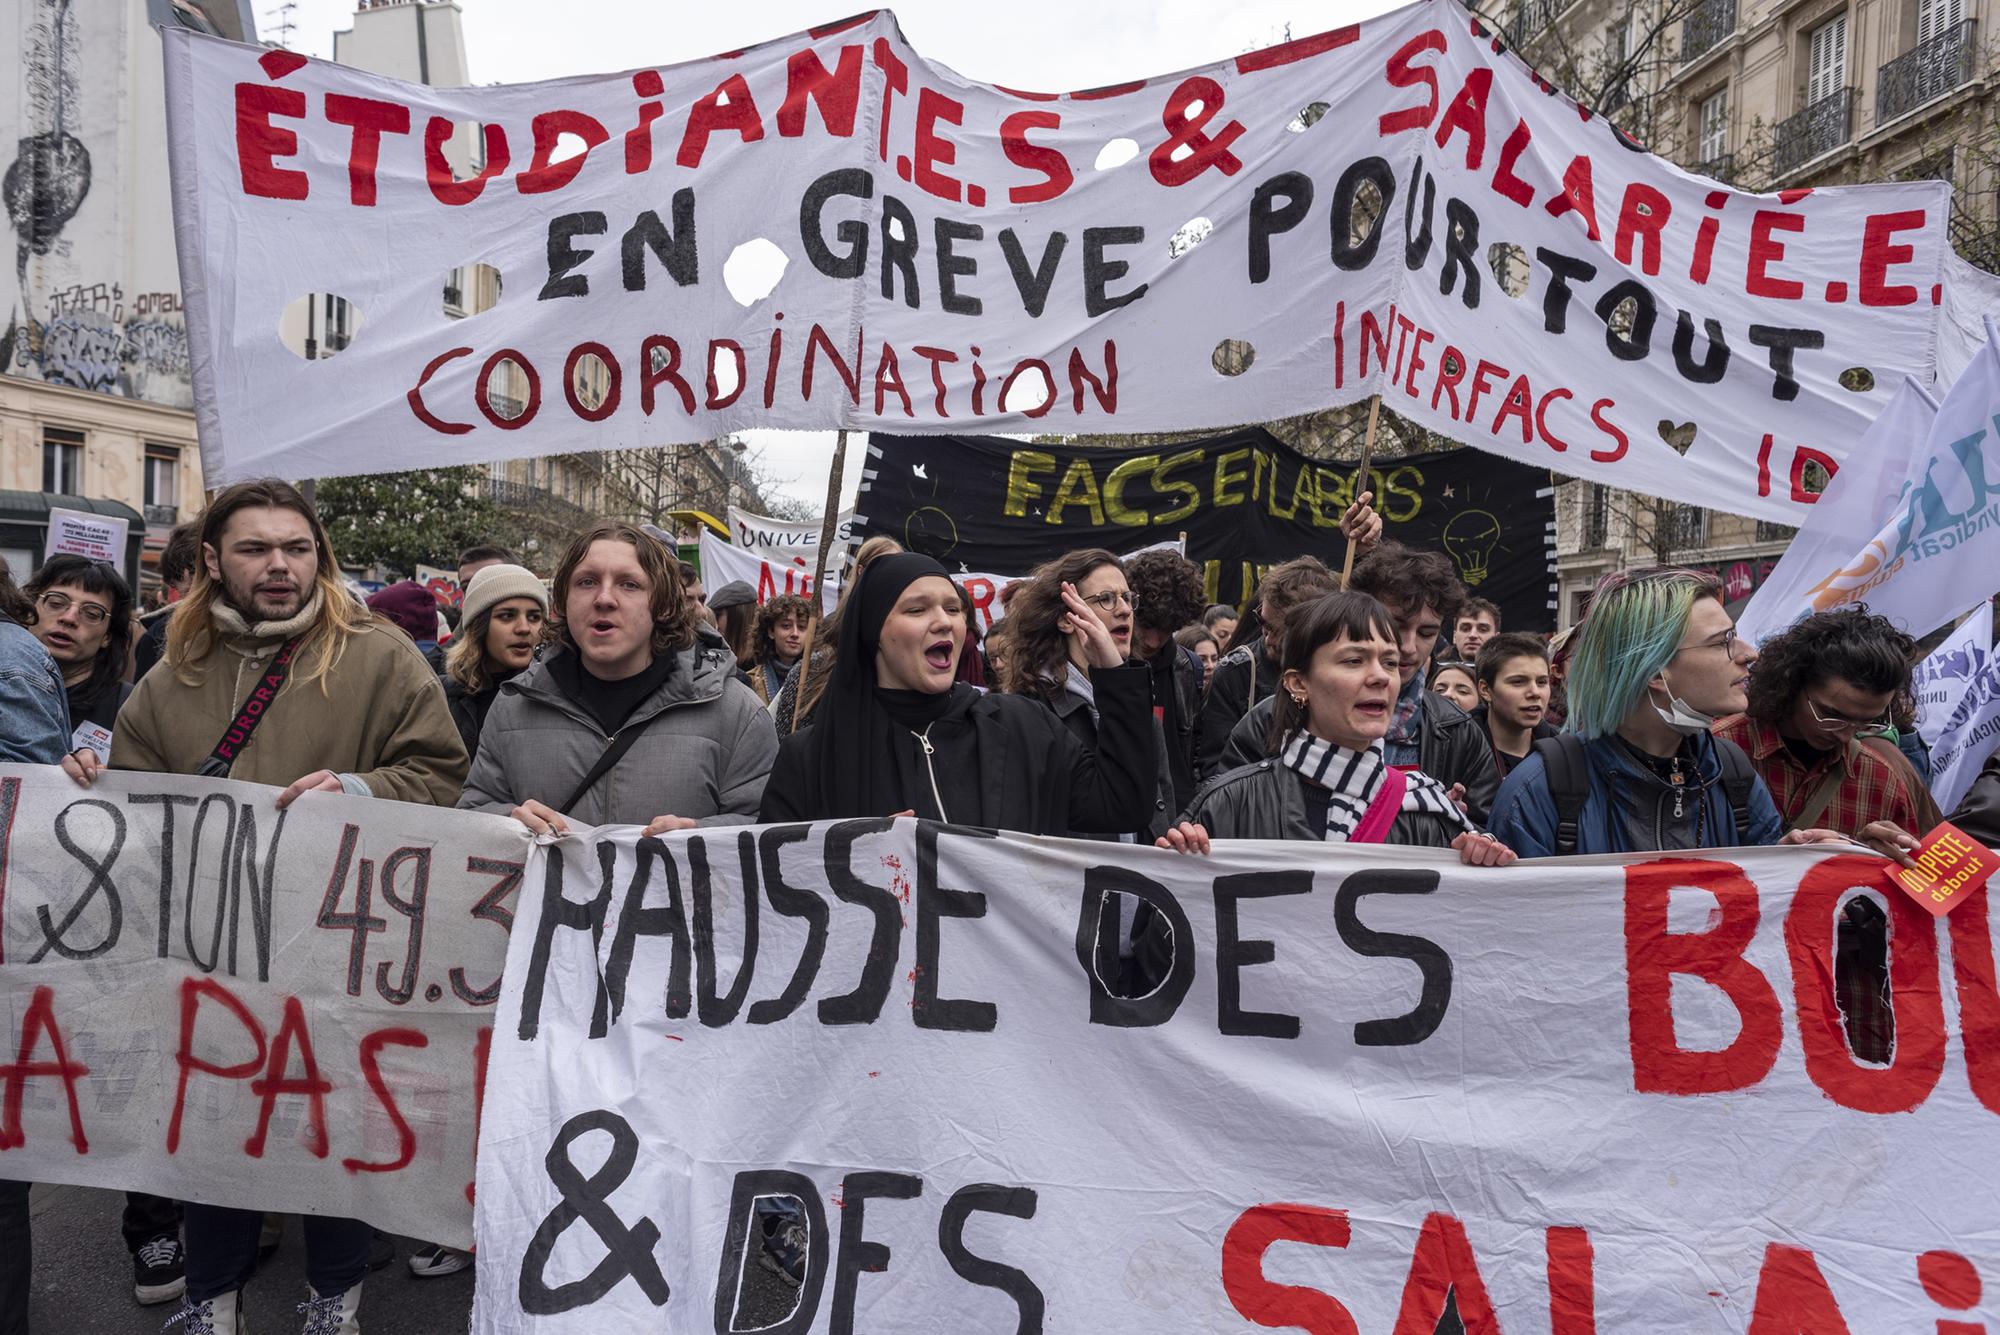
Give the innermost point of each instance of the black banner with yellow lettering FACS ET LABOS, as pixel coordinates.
(1245, 501)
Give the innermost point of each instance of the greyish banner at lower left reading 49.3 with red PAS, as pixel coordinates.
(217, 1002)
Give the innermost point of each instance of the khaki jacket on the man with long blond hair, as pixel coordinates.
(377, 718)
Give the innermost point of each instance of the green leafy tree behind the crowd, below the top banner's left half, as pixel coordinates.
(401, 521)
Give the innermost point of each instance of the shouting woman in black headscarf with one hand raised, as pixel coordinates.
(897, 734)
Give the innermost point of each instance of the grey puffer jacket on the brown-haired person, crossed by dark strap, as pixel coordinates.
(705, 758)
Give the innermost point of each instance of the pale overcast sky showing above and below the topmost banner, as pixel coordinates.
(1041, 45)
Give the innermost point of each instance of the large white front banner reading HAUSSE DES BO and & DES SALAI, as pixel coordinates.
(1581, 1096)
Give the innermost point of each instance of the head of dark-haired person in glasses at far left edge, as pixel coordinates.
(83, 617)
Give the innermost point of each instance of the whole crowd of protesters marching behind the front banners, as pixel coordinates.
(1109, 702)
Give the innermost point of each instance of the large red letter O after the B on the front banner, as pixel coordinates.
(1917, 1006)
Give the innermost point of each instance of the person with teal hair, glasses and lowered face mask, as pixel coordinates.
(1637, 770)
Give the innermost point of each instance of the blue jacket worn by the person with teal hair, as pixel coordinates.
(1627, 806)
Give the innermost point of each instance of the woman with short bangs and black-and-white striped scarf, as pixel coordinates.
(1329, 778)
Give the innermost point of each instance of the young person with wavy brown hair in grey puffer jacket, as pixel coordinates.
(635, 716)
